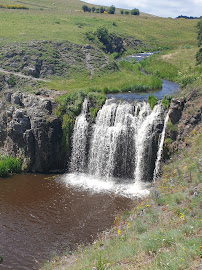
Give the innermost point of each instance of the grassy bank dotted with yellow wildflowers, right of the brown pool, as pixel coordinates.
(161, 231)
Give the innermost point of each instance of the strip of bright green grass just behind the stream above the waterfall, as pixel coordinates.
(127, 78)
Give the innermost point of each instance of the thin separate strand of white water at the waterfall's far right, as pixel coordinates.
(160, 150)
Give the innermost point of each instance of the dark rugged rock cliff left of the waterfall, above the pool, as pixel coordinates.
(30, 131)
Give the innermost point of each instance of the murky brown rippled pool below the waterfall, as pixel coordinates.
(41, 216)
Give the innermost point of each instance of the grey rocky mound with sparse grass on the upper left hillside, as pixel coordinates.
(41, 59)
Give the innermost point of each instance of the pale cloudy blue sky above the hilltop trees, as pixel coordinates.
(162, 8)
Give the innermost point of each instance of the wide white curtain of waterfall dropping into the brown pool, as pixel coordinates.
(123, 142)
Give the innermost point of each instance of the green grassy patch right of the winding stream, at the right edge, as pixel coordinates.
(176, 65)
